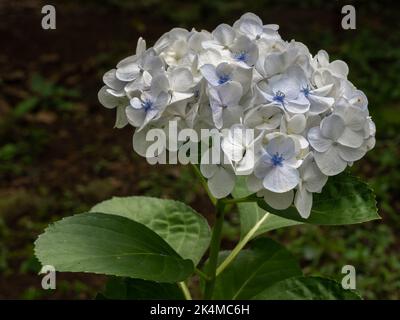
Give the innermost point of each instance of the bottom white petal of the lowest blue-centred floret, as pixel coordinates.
(281, 179)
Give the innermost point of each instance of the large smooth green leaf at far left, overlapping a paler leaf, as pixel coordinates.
(112, 245)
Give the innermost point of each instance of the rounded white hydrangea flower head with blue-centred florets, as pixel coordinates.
(310, 122)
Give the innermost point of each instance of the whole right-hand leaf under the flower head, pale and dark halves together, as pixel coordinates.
(344, 200)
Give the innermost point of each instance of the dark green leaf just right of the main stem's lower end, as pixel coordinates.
(255, 269)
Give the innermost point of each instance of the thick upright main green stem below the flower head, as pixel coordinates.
(214, 250)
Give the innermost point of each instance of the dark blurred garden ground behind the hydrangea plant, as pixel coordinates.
(59, 153)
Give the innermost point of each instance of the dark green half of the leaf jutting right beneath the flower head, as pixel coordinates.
(344, 200)
